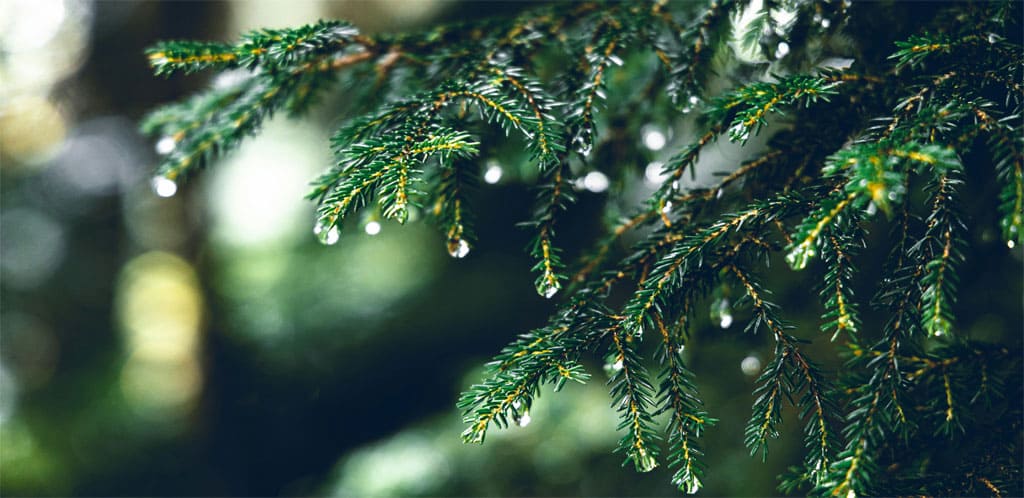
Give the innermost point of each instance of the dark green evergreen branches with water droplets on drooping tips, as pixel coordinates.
(888, 141)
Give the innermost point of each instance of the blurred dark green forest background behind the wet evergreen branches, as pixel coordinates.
(206, 345)
